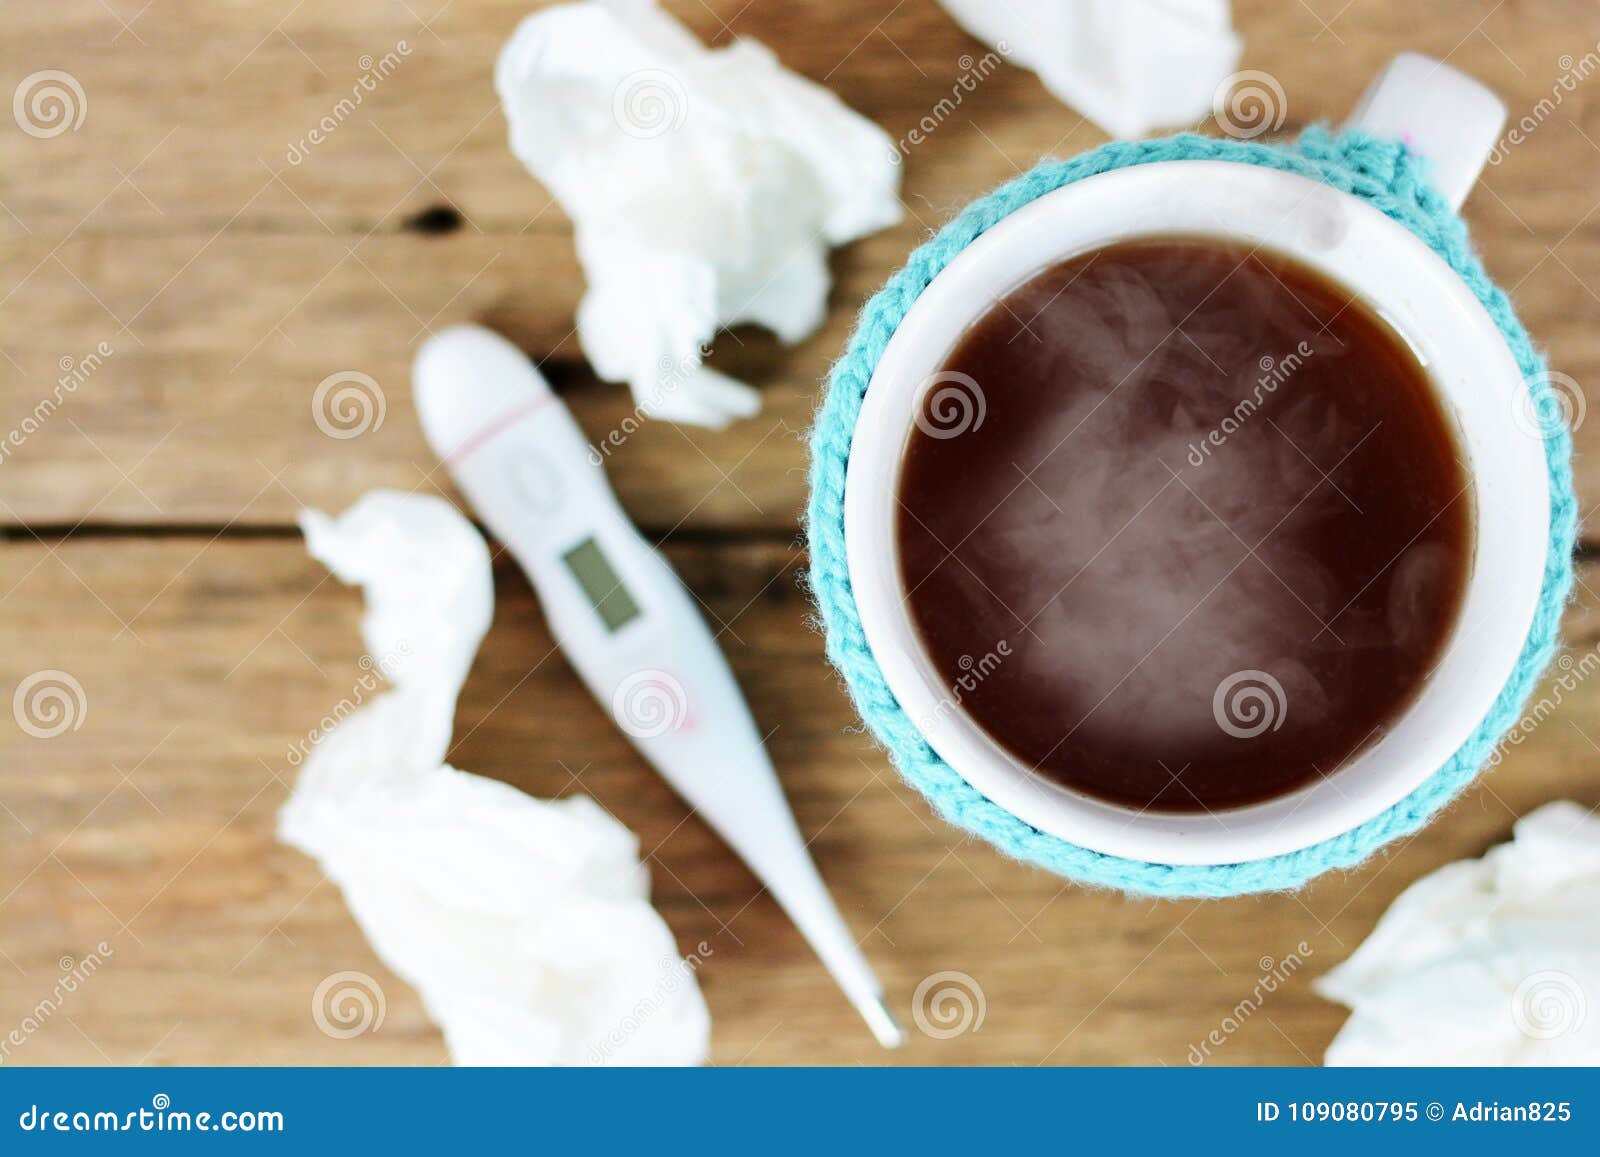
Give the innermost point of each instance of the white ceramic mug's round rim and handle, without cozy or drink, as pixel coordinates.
(1454, 122)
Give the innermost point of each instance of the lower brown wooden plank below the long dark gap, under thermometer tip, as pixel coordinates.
(151, 828)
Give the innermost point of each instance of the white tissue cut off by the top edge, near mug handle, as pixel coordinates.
(1130, 66)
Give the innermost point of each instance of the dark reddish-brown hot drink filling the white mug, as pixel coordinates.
(1202, 538)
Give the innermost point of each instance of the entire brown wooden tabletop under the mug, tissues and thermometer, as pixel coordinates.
(150, 546)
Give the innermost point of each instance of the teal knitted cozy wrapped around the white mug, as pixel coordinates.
(1383, 174)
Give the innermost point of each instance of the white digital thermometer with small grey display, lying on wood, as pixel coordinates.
(626, 622)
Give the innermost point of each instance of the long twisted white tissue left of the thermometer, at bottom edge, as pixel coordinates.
(526, 926)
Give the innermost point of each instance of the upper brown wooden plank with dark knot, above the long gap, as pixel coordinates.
(231, 282)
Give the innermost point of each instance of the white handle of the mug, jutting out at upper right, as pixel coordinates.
(1442, 114)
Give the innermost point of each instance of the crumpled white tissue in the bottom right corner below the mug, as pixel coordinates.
(1490, 961)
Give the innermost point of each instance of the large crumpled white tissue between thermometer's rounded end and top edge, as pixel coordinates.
(705, 188)
